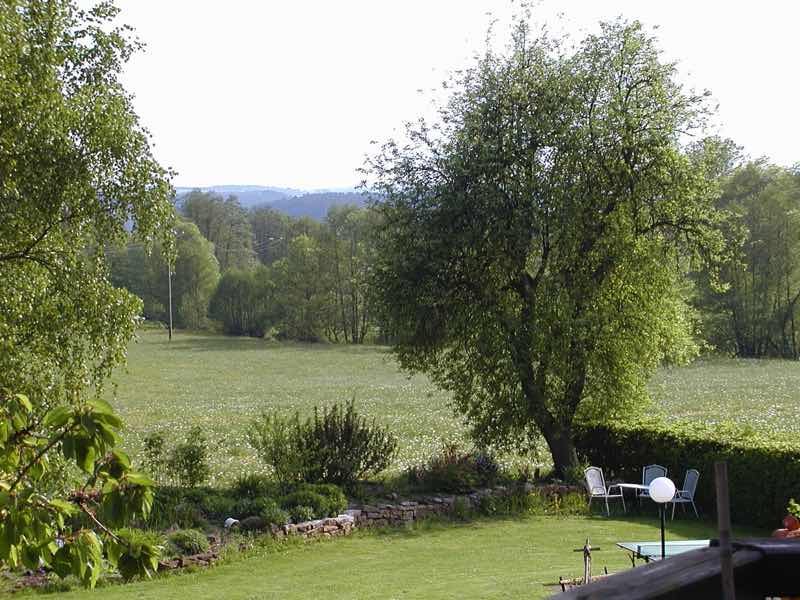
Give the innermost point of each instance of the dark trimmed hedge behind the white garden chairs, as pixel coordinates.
(763, 471)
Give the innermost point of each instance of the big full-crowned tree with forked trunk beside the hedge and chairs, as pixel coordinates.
(529, 242)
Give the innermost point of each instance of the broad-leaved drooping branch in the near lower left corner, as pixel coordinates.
(30, 522)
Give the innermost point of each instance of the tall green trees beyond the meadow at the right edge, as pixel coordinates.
(751, 310)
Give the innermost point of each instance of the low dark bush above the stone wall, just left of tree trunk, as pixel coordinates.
(455, 471)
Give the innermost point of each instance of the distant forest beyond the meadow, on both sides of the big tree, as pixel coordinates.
(278, 262)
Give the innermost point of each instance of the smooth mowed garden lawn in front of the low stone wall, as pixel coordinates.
(514, 558)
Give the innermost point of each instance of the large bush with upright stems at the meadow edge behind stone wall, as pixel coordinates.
(336, 445)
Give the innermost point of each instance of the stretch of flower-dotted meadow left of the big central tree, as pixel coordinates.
(221, 383)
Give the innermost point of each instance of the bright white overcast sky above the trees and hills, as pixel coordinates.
(291, 93)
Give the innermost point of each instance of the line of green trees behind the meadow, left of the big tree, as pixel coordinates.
(257, 272)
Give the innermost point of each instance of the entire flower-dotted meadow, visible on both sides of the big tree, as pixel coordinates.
(221, 383)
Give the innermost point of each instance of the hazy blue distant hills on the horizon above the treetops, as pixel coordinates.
(295, 202)
